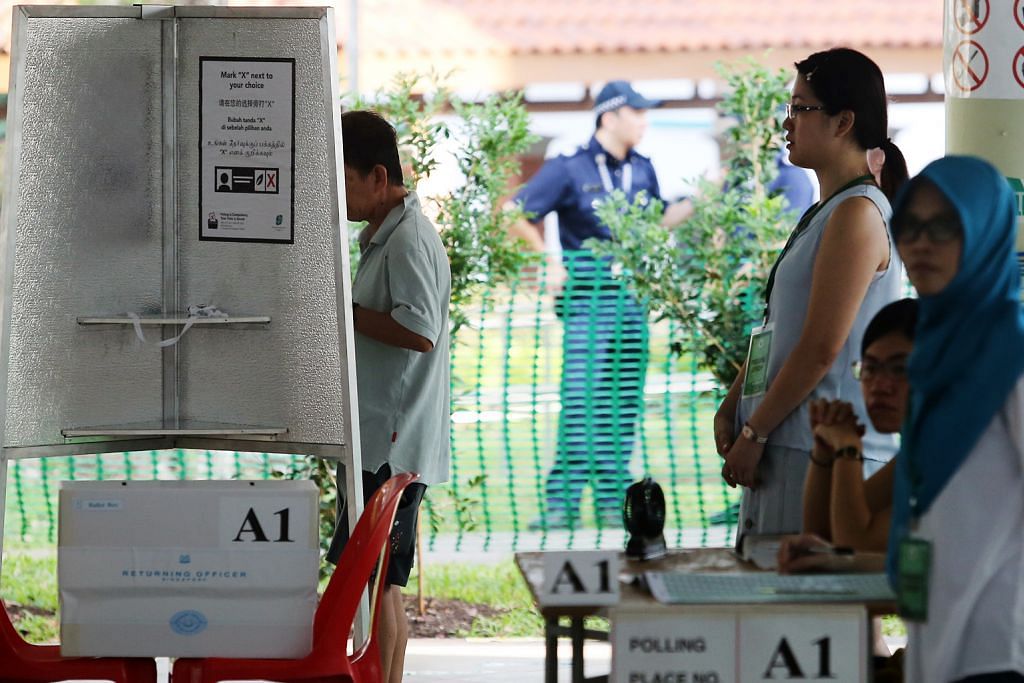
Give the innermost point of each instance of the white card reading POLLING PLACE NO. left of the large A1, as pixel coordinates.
(674, 648)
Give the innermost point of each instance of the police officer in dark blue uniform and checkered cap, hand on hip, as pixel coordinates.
(606, 339)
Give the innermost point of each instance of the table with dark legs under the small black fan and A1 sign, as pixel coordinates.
(703, 561)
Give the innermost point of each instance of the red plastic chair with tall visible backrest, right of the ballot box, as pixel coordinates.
(328, 663)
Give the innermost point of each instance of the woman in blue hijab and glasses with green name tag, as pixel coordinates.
(957, 544)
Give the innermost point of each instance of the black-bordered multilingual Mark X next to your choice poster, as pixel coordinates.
(247, 149)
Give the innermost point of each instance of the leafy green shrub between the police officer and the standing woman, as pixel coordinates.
(709, 274)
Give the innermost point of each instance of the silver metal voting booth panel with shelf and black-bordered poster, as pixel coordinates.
(160, 159)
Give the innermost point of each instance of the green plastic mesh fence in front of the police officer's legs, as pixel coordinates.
(559, 403)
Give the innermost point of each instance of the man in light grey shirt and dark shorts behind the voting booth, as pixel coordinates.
(401, 314)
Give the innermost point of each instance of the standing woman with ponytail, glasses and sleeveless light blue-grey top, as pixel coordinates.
(836, 272)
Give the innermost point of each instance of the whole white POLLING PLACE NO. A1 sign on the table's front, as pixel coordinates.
(748, 645)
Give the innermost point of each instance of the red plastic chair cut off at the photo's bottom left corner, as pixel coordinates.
(25, 663)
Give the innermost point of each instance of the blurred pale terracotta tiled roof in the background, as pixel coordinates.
(561, 27)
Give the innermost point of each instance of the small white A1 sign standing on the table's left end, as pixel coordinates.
(580, 578)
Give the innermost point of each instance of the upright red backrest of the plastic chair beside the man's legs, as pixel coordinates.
(366, 546)
